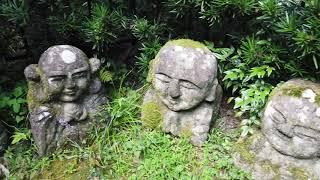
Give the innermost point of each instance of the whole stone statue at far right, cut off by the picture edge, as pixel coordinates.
(289, 146)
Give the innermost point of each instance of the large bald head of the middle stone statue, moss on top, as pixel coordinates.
(184, 76)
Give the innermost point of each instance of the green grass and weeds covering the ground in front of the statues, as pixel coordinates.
(127, 150)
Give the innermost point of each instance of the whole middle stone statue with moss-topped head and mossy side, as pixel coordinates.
(185, 94)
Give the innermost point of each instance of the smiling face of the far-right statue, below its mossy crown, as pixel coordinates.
(293, 127)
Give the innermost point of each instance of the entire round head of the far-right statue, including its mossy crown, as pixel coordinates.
(292, 123)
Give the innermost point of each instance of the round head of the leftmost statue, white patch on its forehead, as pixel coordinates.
(66, 72)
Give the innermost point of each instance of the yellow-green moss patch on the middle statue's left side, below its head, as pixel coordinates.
(152, 115)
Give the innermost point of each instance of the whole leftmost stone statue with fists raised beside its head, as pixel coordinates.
(63, 94)
